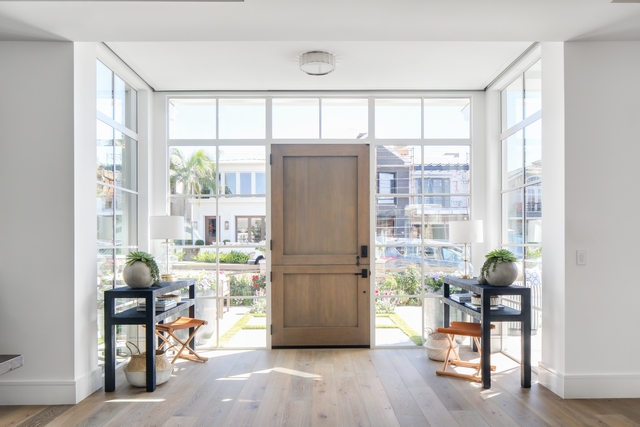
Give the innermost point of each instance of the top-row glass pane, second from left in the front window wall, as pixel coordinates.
(242, 118)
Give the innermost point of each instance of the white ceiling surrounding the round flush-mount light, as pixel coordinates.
(379, 45)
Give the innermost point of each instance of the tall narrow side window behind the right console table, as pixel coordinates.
(522, 195)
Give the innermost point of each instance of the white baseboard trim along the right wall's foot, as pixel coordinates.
(589, 386)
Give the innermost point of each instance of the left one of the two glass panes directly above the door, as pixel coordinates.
(296, 118)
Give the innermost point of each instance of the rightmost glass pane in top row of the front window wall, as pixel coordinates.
(447, 118)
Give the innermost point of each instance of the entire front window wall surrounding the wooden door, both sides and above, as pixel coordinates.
(218, 153)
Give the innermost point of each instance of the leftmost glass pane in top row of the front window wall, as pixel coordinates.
(192, 118)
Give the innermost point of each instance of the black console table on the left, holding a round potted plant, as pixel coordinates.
(149, 318)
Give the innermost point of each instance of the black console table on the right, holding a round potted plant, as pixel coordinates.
(486, 316)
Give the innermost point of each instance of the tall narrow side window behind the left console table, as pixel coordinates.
(116, 192)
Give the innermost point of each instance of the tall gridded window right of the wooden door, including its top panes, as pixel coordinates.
(423, 160)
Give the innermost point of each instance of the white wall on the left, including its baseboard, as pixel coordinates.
(47, 279)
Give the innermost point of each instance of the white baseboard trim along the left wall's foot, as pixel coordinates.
(50, 392)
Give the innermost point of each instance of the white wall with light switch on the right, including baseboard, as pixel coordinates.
(591, 149)
